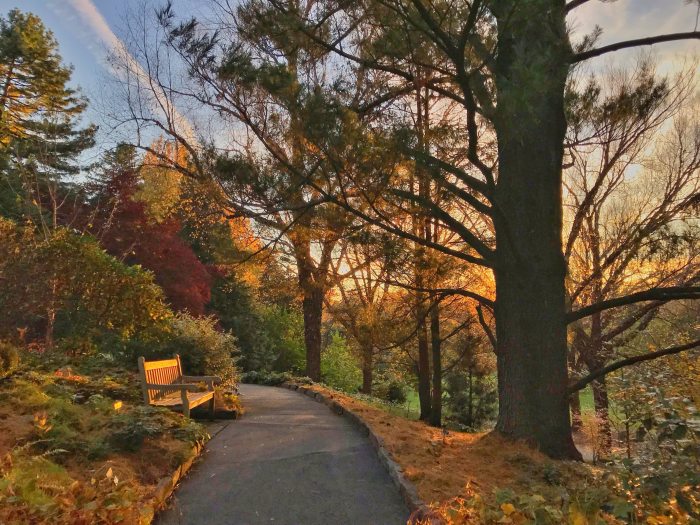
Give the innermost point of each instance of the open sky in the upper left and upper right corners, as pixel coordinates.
(87, 30)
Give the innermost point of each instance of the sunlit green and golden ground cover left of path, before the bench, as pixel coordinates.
(79, 447)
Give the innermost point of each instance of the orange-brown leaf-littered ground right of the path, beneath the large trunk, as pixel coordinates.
(481, 478)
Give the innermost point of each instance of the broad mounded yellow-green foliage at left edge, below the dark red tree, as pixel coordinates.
(90, 291)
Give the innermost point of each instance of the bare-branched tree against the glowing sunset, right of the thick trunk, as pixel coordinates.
(628, 232)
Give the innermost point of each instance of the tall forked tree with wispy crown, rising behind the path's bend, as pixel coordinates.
(283, 111)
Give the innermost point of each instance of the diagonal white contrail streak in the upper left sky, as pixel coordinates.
(99, 27)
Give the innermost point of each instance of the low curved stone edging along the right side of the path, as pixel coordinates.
(407, 490)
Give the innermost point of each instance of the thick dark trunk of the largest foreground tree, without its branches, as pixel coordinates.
(531, 70)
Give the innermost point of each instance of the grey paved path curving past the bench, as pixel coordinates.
(288, 461)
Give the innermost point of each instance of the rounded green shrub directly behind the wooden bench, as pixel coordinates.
(204, 350)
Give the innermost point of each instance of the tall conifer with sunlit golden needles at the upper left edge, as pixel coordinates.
(39, 113)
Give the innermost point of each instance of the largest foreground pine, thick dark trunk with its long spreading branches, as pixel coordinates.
(507, 63)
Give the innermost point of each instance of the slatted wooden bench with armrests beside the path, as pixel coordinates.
(163, 384)
